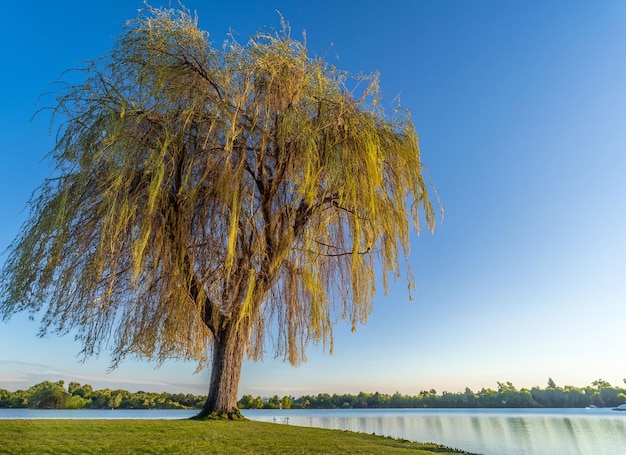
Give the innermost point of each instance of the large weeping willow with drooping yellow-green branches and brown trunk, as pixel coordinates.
(205, 197)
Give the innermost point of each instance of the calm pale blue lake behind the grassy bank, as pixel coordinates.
(600, 431)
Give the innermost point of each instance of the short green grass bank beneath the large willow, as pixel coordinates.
(58, 436)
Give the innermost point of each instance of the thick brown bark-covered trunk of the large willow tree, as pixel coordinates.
(226, 366)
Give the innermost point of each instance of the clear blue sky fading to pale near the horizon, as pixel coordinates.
(521, 111)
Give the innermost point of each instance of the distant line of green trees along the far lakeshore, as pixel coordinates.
(55, 395)
